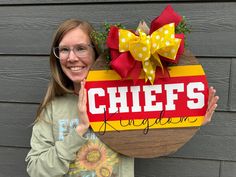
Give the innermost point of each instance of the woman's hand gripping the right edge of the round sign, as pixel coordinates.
(212, 104)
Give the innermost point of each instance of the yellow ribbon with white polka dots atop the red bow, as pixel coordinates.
(147, 48)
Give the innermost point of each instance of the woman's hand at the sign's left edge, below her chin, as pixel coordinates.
(82, 110)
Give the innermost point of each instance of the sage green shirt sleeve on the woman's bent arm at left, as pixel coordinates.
(48, 157)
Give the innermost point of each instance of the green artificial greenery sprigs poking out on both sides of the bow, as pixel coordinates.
(101, 35)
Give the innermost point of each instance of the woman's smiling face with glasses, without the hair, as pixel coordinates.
(77, 46)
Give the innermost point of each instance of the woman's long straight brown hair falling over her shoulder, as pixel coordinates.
(59, 83)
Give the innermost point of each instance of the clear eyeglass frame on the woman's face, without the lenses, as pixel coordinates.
(70, 49)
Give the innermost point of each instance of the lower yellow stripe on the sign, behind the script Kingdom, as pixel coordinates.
(151, 123)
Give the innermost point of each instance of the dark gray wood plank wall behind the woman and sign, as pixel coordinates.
(26, 29)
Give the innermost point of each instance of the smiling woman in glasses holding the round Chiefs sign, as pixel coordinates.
(62, 143)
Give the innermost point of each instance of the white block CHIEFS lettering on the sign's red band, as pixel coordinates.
(119, 95)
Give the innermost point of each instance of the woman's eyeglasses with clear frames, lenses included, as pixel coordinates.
(80, 50)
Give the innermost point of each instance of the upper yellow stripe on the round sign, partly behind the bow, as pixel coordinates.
(174, 71)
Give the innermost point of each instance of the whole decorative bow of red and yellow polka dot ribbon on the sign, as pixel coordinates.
(131, 53)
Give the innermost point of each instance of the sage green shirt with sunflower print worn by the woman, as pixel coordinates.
(57, 150)
